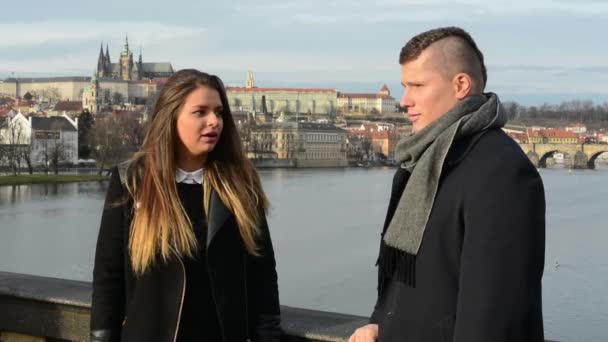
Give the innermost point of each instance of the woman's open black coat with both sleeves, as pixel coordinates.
(126, 307)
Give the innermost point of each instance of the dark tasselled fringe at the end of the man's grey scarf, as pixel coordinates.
(395, 264)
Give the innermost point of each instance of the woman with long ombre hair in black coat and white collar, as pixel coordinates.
(184, 252)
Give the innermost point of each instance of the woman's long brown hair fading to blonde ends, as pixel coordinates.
(160, 222)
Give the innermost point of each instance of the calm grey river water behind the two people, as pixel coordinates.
(326, 226)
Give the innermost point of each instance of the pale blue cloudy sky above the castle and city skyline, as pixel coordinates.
(536, 52)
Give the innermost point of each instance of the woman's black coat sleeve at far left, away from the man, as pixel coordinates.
(107, 309)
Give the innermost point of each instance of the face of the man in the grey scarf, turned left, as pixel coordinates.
(429, 93)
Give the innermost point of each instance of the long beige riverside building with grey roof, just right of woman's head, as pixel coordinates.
(310, 144)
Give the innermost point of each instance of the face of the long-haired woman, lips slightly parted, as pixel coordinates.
(199, 123)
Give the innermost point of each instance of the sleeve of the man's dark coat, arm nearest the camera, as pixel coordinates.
(502, 260)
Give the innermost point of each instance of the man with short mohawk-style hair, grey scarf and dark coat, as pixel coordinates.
(462, 249)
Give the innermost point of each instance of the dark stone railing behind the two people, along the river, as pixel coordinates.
(41, 309)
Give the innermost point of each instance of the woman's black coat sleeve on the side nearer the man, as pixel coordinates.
(263, 292)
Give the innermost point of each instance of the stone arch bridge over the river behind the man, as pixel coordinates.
(583, 155)
